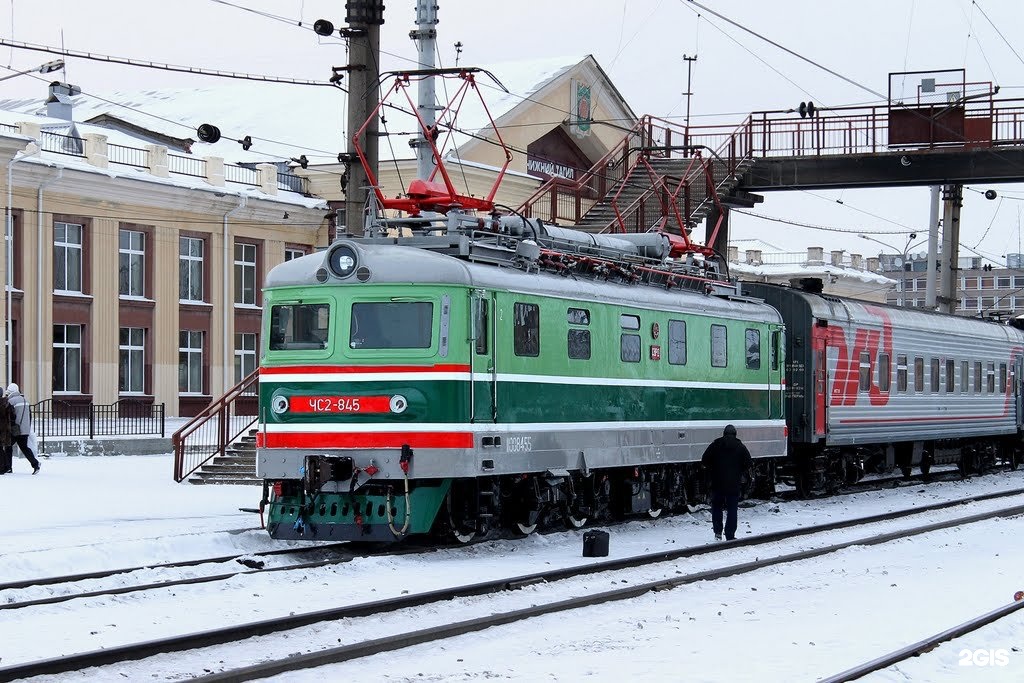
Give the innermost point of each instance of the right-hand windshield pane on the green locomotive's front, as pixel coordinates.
(385, 325)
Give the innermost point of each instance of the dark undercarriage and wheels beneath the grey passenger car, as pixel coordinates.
(822, 471)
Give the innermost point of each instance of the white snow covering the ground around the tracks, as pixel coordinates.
(797, 622)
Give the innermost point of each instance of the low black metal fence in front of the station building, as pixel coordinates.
(54, 418)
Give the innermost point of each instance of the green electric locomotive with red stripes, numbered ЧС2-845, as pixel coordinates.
(456, 383)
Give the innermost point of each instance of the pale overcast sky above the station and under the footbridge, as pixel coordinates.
(641, 44)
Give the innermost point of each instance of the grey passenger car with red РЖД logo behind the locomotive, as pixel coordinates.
(873, 387)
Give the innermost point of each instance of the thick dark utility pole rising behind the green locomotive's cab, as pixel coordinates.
(365, 19)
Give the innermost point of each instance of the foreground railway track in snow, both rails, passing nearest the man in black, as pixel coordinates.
(233, 634)
